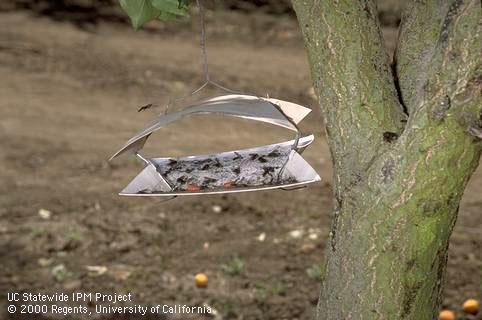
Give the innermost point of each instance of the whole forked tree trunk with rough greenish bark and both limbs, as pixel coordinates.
(404, 142)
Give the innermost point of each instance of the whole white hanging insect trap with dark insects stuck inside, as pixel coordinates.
(266, 167)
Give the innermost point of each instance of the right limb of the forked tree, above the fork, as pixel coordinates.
(439, 62)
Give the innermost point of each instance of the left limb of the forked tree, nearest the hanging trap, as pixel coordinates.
(353, 81)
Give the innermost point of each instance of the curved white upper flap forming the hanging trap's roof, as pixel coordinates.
(273, 111)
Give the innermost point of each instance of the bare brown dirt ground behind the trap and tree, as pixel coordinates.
(68, 100)
